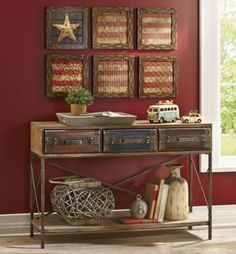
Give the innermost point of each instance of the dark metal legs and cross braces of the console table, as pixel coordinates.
(34, 200)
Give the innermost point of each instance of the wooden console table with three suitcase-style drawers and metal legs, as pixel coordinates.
(53, 140)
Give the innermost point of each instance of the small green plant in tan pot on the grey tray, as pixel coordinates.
(79, 98)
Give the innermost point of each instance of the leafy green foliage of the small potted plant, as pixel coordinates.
(79, 95)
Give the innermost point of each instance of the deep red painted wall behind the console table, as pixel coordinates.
(22, 98)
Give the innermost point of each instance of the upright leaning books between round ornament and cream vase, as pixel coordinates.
(156, 196)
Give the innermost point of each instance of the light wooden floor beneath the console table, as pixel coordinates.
(159, 242)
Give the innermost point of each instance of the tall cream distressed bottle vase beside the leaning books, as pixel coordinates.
(177, 200)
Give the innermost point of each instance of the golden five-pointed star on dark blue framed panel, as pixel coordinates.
(66, 29)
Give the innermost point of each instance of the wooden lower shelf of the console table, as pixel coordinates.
(55, 224)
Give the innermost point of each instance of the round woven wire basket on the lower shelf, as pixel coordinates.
(82, 203)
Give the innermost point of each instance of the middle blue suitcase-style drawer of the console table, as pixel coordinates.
(129, 140)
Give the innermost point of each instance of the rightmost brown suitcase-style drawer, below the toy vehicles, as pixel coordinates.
(184, 139)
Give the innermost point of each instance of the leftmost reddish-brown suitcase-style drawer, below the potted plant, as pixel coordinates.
(72, 141)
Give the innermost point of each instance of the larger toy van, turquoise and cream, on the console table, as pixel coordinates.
(163, 111)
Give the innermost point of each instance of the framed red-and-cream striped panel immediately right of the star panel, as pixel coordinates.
(112, 27)
